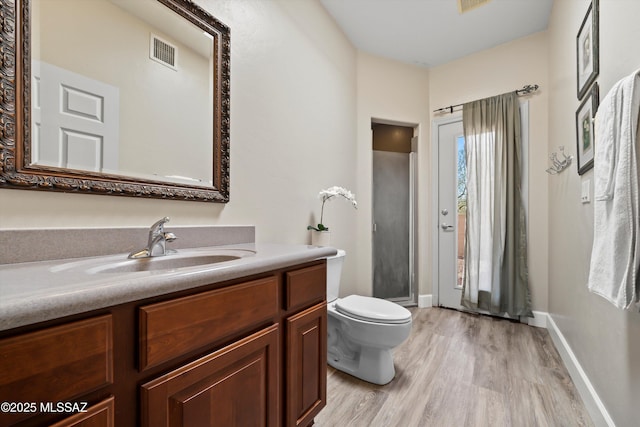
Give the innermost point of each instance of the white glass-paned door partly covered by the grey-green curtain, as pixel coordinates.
(451, 212)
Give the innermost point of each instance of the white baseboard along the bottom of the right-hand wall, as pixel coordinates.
(592, 402)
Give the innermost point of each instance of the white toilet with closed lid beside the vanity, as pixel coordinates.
(362, 331)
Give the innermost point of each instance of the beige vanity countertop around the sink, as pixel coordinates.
(33, 292)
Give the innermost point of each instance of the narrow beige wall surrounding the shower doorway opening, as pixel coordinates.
(390, 91)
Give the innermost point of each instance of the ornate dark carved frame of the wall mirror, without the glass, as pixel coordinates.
(16, 170)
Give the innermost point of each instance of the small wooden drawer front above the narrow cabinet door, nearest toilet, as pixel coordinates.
(305, 286)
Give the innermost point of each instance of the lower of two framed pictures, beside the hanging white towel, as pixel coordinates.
(585, 136)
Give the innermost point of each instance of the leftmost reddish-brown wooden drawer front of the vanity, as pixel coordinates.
(56, 364)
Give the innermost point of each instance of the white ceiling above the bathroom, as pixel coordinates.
(432, 32)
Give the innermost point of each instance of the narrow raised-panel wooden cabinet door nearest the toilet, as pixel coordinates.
(306, 380)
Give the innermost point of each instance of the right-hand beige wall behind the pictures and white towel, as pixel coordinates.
(605, 340)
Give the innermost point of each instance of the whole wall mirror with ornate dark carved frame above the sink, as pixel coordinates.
(115, 97)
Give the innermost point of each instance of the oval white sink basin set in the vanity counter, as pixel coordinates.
(182, 259)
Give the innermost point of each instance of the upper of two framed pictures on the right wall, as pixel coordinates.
(587, 49)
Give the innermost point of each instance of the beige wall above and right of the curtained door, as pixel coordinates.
(491, 72)
